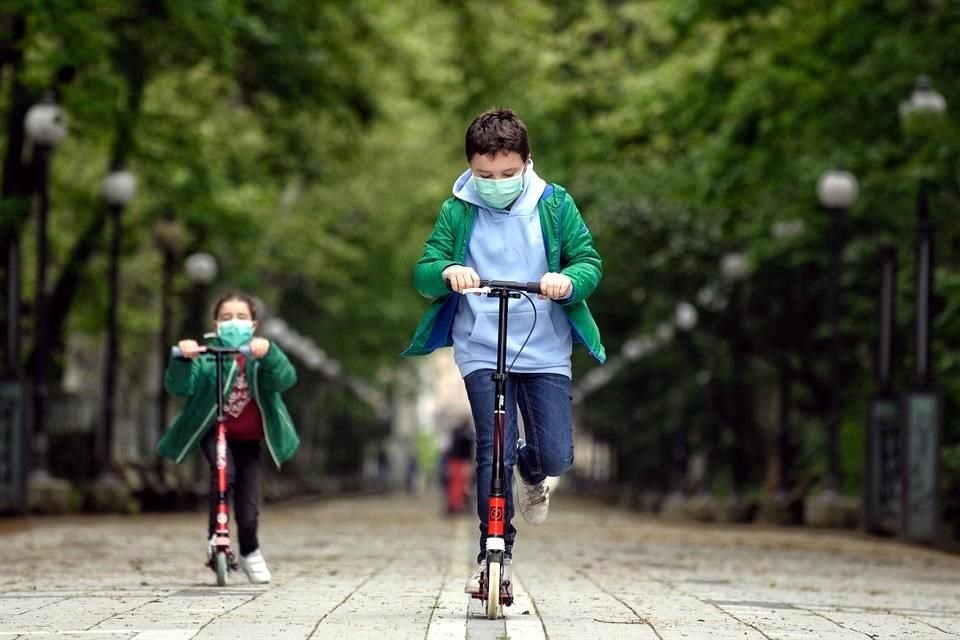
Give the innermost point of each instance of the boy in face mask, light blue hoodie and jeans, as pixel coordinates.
(506, 223)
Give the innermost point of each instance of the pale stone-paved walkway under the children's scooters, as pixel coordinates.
(389, 567)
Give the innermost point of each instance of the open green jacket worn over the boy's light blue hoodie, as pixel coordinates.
(569, 249)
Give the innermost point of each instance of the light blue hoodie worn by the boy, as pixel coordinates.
(508, 245)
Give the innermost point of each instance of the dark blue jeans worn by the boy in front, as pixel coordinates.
(546, 406)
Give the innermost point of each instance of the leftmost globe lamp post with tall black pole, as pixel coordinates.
(45, 125)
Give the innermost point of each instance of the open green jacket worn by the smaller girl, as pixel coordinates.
(196, 379)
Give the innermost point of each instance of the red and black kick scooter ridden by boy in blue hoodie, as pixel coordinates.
(494, 590)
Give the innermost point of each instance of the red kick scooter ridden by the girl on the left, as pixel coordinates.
(223, 559)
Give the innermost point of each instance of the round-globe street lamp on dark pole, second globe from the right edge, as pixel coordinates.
(837, 190)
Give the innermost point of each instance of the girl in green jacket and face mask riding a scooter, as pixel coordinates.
(255, 412)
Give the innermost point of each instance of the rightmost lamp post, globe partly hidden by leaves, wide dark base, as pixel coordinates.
(923, 405)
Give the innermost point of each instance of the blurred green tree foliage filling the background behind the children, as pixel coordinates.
(309, 148)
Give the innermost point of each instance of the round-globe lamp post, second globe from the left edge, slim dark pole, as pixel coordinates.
(119, 188)
